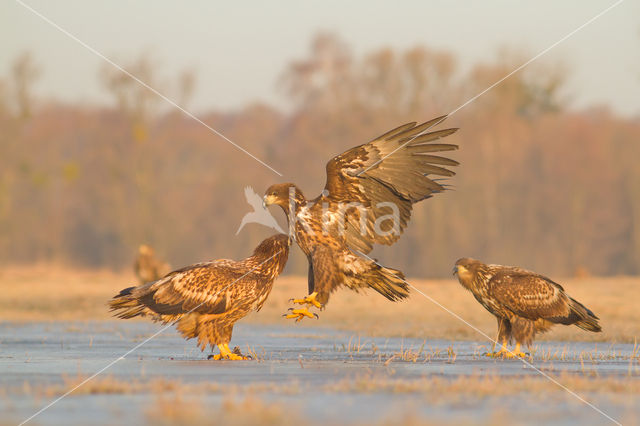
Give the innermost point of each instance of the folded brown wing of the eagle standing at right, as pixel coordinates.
(529, 295)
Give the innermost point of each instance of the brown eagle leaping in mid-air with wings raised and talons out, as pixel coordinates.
(368, 198)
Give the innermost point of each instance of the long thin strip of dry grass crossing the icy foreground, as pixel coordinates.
(435, 387)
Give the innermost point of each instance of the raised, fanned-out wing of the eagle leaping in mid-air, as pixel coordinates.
(386, 176)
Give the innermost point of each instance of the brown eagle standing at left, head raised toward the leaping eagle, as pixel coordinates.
(206, 299)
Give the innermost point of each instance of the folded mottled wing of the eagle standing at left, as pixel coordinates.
(203, 288)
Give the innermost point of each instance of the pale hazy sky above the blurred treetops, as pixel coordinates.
(239, 49)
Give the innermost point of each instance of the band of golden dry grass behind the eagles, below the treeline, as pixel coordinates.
(44, 293)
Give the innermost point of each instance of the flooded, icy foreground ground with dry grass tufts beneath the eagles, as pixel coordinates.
(319, 374)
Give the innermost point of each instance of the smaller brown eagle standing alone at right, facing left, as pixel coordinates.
(523, 302)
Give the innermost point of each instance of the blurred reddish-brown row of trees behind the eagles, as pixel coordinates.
(540, 185)
